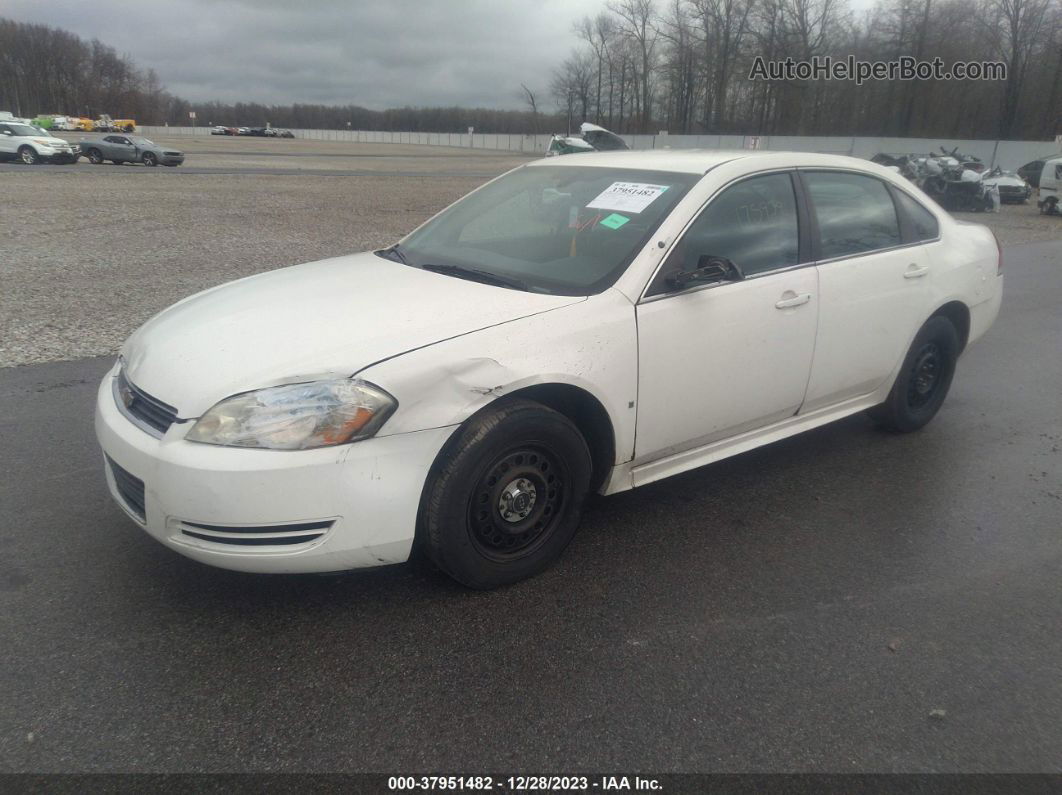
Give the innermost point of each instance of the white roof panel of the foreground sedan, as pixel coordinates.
(700, 162)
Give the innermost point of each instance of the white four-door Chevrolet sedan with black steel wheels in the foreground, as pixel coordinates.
(580, 324)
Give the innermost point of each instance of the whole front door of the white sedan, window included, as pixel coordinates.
(730, 355)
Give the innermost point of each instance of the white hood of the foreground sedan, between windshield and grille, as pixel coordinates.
(321, 320)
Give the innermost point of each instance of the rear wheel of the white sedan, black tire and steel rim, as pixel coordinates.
(924, 378)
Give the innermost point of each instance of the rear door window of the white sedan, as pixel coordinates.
(855, 213)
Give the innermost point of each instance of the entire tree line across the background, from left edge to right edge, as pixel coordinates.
(642, 66)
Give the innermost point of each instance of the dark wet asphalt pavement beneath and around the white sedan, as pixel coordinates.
(844, 601)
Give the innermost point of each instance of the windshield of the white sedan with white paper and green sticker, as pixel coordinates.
(567, 231)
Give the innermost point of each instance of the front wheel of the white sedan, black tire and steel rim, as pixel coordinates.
(506, 495)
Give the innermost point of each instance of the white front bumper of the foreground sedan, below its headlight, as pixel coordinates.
(356, 504)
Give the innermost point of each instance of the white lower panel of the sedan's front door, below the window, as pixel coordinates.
(724, 360)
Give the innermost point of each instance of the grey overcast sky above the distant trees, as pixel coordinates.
(379, 55)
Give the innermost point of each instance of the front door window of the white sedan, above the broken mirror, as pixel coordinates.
(752, 223)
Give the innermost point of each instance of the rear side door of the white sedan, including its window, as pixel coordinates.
(873, 282)
